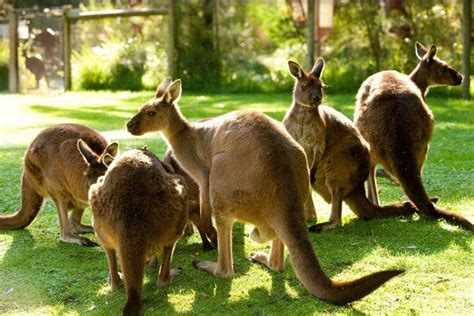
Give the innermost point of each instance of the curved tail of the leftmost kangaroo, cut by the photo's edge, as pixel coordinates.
(31, 202)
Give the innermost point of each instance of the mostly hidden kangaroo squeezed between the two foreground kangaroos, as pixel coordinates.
(193, 195)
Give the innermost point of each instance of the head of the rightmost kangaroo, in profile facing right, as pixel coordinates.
(436, 71)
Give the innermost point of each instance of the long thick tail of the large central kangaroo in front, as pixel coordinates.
(310, 273)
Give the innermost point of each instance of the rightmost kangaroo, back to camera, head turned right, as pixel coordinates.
(392, 115)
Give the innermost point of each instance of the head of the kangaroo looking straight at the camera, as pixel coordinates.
(308, 90)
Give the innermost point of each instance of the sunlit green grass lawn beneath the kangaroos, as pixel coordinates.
(41, 275)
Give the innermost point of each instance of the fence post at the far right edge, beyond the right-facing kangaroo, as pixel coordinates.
(466, 51)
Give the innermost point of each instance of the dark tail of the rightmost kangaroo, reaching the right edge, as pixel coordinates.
(410, 179)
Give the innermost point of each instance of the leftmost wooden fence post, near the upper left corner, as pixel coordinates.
(13, 78)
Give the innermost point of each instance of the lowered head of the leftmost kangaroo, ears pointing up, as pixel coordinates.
(96, 164)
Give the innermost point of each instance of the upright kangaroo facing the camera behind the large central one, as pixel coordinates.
(337, 153)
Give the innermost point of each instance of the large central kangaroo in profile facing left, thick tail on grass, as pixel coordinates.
(250, 169)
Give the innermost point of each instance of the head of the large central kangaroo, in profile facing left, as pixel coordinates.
(155, 115)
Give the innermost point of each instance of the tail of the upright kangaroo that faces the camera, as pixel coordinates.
(364, 208)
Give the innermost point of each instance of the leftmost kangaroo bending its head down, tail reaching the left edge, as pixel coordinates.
(52, 167)
